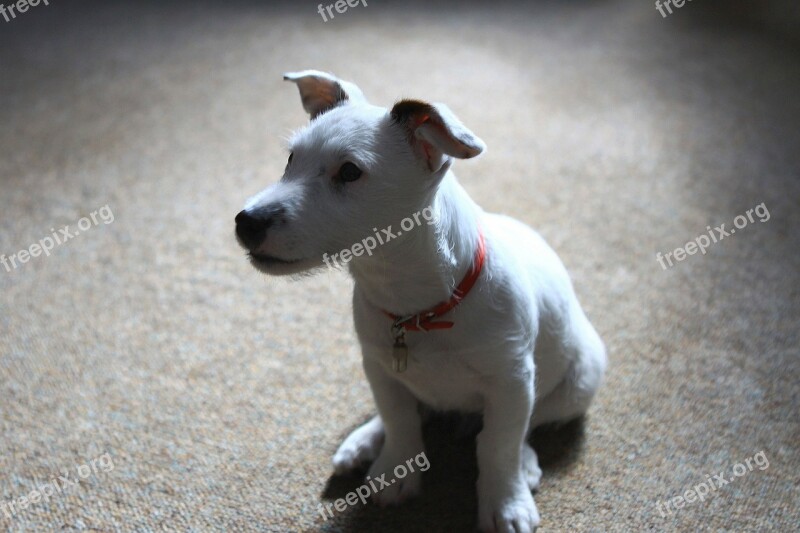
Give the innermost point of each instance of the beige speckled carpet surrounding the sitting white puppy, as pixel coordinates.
(212, 398)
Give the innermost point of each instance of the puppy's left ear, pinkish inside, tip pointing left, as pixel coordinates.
(321, 92)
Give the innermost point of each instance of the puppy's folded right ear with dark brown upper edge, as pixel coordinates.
(435, 132)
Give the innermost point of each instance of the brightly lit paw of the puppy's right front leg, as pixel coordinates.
(514, 512)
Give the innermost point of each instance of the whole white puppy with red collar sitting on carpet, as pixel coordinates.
(469, 311)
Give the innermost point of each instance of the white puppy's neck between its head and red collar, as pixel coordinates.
(414, 273)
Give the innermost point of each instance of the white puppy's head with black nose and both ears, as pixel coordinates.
(355, 169)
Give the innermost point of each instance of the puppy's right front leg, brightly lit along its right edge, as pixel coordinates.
(504, 497)
